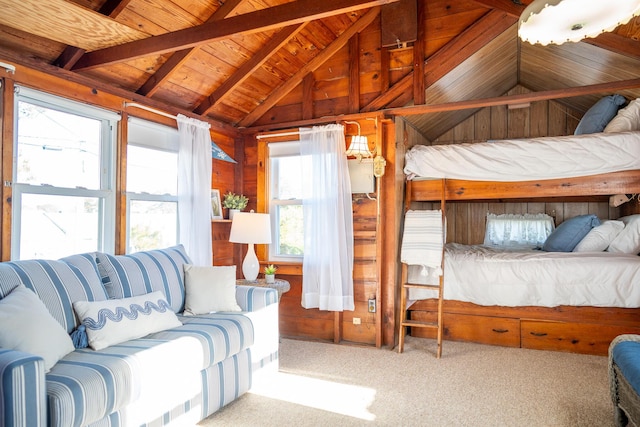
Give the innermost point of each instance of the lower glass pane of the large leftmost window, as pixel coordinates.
(56, 226)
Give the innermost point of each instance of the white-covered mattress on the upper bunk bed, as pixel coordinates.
(527, 159)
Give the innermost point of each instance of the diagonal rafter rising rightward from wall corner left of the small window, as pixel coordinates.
(278, 93)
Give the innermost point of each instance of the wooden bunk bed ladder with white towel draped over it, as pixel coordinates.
(405, 322)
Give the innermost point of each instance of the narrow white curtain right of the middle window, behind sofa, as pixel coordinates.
(194, 189)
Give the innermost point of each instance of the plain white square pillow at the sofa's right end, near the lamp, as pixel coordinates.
(210, 289)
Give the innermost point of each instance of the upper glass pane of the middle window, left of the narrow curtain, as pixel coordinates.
(151, 171)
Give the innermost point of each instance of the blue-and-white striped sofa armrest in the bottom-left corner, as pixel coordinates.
(22, 389)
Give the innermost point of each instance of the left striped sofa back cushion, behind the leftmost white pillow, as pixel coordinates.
(57, 283)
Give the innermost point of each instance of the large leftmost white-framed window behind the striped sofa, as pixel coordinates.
(63, 200)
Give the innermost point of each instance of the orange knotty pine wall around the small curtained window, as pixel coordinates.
(372, 277)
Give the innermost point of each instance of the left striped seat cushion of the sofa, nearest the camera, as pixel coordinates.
(147, 376)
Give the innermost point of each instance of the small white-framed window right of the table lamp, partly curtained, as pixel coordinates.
(285, 202)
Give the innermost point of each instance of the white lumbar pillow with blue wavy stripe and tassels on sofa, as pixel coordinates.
(114, 321)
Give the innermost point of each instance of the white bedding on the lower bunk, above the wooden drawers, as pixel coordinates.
(487, 276)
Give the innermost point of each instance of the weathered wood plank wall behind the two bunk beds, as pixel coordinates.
(466, 221)
